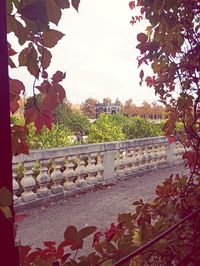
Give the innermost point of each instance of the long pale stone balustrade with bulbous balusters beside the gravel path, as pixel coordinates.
(56, 173)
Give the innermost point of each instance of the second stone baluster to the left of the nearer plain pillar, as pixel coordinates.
(92, 169)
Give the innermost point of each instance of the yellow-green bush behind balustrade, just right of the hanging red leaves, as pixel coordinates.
(57, 137)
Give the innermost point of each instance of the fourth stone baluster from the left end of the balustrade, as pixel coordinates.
(57, 176)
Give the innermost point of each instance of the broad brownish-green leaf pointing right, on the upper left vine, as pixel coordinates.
(51, 37)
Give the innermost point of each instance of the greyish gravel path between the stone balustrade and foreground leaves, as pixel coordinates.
(99, 208)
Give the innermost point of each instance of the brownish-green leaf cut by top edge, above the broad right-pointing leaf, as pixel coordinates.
(53, 11)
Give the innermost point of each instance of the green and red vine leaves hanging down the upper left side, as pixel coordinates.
(30, 22)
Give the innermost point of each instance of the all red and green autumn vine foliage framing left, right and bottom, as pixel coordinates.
(171, 47)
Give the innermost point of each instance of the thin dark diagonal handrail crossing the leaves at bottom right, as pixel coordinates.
(154, 240)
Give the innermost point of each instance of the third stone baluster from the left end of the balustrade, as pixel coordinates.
(43, 180)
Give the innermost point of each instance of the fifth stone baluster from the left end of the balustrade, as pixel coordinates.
(69, 174)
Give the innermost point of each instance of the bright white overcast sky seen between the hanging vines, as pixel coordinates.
(98, 53)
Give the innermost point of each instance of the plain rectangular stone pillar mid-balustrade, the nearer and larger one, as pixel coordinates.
(108, 164)
